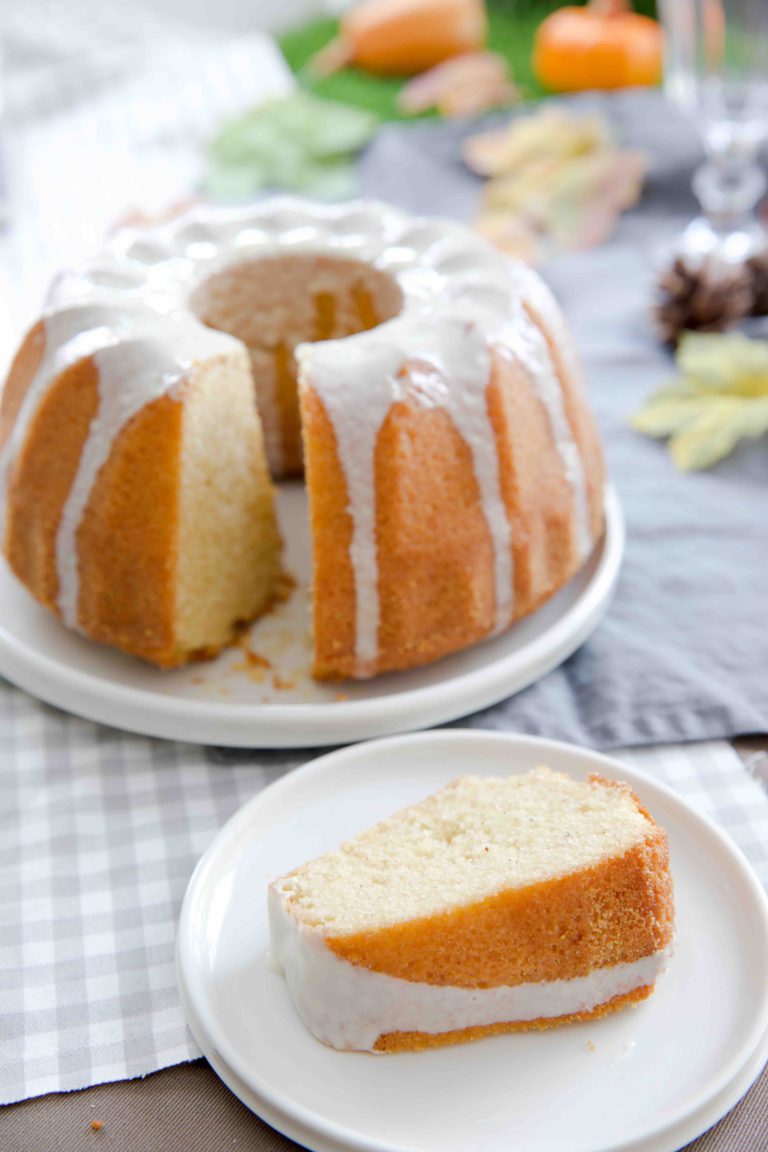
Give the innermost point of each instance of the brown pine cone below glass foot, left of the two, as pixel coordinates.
(705, 298)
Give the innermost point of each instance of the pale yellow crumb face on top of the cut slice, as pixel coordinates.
(475, 839)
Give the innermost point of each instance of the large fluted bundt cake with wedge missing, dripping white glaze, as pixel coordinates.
(454, 472)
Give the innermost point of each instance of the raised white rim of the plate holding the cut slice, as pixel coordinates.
(306, 786)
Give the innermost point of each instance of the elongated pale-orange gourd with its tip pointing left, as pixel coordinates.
(405, 37)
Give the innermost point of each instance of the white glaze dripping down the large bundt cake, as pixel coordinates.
(462, 299)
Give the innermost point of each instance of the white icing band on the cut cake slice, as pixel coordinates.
(351, 1007)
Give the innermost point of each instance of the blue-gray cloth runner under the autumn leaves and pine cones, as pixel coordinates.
(683, 653)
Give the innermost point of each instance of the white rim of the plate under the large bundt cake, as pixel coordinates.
(39, 656)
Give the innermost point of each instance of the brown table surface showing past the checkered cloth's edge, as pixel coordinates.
(188, 1109)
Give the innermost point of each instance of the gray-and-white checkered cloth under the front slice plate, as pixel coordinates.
(100, 833)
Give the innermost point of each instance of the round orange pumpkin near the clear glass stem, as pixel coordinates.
(604, 46)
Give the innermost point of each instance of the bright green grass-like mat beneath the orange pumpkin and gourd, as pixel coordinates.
(513, 26)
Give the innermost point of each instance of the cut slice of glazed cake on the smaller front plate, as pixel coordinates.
(493, 906)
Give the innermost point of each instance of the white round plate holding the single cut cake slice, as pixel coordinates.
(647, 1080)
